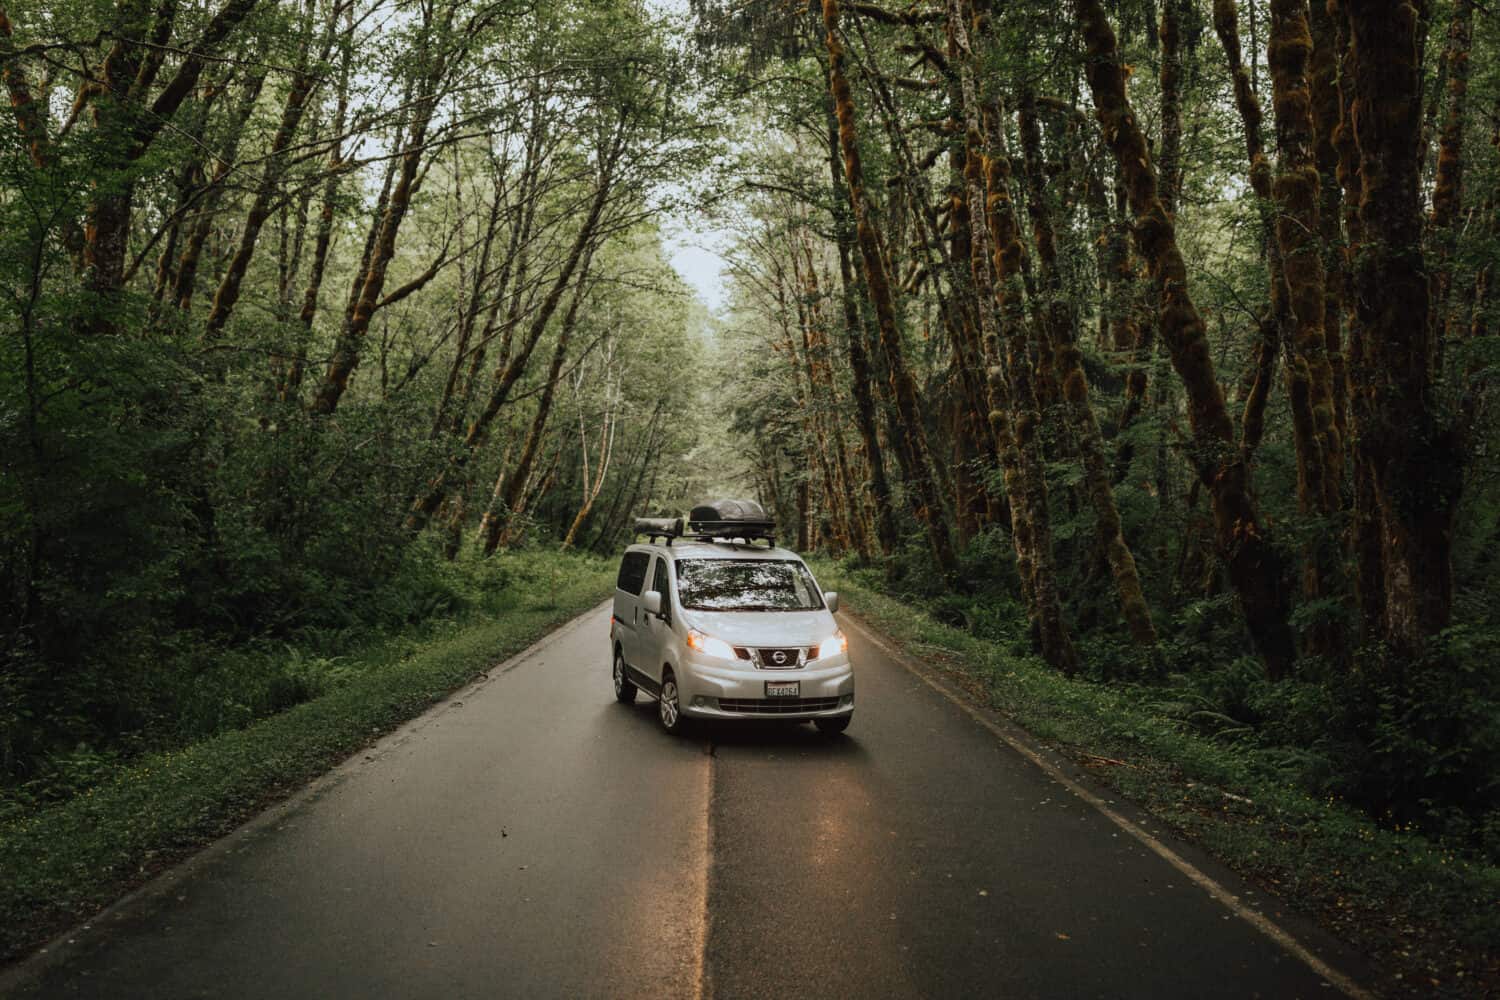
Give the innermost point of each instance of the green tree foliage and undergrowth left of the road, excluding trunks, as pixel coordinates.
(185, 546)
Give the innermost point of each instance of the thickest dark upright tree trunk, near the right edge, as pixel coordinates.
(1412, 455)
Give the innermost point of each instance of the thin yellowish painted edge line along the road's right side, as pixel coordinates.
(1252, 917)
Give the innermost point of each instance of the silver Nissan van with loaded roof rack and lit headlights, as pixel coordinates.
(715, 621)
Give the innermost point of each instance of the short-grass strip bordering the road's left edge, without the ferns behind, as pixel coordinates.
(67, 861)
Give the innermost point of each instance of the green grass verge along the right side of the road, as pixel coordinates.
(1429, 918)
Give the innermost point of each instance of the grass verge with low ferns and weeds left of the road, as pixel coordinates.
(281, 717)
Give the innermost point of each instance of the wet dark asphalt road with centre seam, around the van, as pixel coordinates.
(535, 839)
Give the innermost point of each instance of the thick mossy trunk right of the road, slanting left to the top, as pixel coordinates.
(1255, 566)
